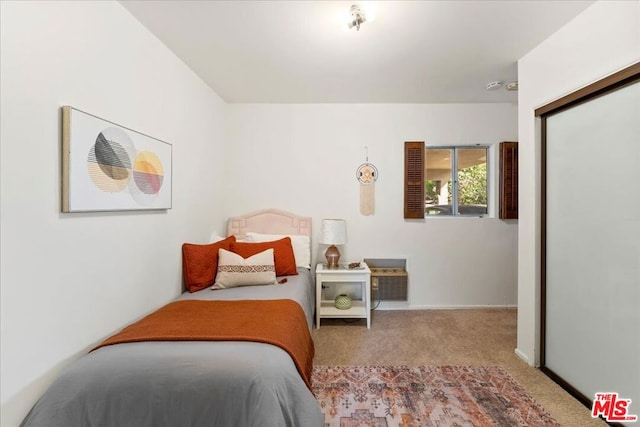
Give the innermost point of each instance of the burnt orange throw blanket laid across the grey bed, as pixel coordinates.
(277, 322)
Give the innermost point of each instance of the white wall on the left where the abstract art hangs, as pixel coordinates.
(69, 280)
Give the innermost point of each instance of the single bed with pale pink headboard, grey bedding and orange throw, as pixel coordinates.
(193, 381)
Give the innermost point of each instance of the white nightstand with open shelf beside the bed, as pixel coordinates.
(326, 281)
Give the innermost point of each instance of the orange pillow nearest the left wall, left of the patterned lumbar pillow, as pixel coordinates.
(200, 263)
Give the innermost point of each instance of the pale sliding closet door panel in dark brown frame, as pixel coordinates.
(591, 286)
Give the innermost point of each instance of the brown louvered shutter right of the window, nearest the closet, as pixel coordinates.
(508, 180)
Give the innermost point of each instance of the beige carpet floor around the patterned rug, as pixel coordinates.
(484, 337)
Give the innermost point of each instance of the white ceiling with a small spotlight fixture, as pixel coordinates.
(300, 52)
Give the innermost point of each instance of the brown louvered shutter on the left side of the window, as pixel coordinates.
(414, 179)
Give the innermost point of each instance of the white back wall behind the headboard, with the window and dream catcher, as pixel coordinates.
(304, 158)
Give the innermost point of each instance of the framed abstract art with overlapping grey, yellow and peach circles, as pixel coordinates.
(108, 167)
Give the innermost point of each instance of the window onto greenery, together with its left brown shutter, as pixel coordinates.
(454, 180)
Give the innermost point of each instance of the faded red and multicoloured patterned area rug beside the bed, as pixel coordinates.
(437, 396)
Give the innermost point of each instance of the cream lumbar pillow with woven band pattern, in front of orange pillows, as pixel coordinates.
(233, 270)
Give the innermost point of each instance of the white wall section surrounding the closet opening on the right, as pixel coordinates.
(603, 39)
